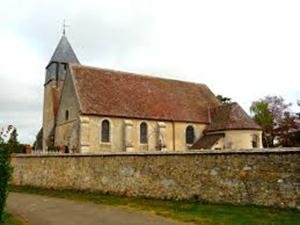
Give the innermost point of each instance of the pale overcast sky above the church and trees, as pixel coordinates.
(241, 49)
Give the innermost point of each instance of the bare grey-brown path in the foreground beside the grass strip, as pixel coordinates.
(41, 210)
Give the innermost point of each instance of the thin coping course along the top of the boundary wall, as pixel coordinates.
(281, 150)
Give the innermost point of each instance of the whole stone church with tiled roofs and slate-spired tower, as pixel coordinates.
(92, 110)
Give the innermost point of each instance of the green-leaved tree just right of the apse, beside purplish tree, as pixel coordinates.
(264, 118)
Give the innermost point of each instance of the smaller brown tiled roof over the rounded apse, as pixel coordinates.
(230, 117)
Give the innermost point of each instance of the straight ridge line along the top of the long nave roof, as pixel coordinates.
(151, 76)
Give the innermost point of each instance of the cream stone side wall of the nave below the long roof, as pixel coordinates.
(90, 134)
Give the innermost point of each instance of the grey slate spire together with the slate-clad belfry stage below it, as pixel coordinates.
(62, 56)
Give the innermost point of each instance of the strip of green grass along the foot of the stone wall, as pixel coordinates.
(198, 213)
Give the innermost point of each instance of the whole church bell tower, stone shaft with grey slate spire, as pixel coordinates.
(56, 71)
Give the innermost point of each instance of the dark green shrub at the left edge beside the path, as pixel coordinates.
(5, 174)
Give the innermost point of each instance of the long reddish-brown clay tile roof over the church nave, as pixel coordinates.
(121, 94)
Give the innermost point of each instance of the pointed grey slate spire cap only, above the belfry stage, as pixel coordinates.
(64, 52)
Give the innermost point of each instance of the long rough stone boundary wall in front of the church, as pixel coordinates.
(262, 177)
